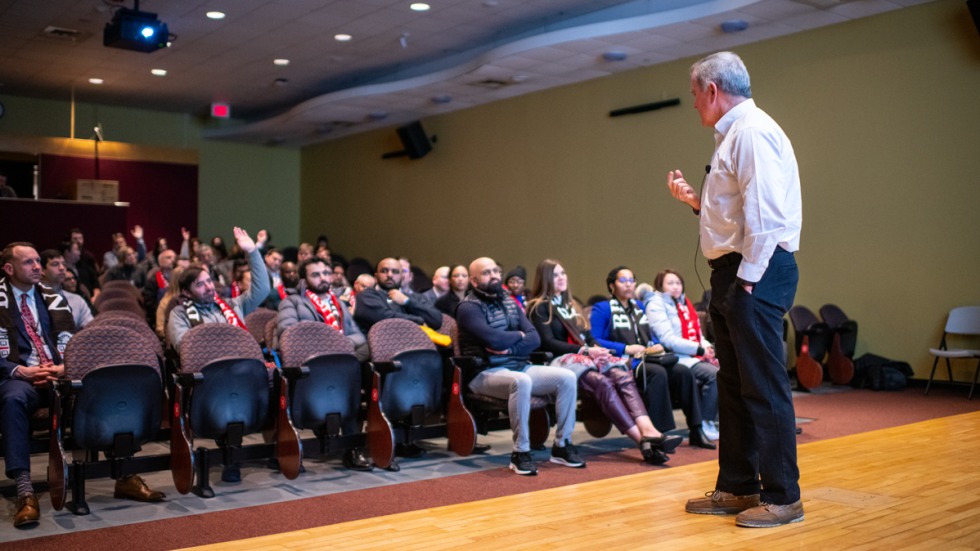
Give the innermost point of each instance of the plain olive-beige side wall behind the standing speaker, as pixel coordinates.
(883, 113)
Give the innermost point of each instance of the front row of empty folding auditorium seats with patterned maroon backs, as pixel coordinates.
(121, 391)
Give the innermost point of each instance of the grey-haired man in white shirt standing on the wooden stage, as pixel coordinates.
(750, 219)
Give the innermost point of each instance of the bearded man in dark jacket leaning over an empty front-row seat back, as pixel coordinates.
(386, 300)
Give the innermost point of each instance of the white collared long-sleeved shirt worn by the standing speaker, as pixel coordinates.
(751, 199)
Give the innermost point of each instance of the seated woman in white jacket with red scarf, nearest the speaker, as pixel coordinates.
(675, 323)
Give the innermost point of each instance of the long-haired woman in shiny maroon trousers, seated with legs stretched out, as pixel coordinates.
(601, 376)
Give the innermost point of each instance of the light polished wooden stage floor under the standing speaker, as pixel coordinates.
(911, 487)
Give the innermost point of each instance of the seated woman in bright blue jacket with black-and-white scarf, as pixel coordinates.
(621, 325)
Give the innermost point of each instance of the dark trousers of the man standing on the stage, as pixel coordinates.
(755, 401)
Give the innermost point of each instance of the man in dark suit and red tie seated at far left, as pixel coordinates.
(32, 336)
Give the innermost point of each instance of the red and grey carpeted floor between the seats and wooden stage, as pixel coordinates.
(439, 480)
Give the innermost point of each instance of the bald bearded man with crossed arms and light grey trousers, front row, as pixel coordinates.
(493, 328)
